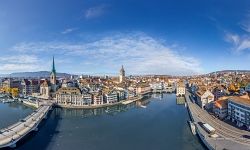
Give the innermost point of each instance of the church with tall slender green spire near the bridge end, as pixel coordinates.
(49, 87)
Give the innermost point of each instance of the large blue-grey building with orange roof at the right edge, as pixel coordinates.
(239, 111)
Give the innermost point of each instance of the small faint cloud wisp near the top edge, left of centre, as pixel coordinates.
(94, 12)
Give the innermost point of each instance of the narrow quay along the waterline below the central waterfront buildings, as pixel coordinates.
(123, 102)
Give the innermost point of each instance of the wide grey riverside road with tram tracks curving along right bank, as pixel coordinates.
(230, 137)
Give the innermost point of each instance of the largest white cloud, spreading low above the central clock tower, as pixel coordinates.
(140, 53)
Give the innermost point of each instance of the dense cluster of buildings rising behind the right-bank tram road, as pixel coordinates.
(226, 95)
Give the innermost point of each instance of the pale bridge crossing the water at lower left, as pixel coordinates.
(11, 135)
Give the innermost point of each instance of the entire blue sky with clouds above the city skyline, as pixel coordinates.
(175, 37)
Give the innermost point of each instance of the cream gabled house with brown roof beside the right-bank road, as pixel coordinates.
(204, 98)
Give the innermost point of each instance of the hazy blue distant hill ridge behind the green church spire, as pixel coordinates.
(33, 74)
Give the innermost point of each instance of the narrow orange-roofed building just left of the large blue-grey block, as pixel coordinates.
(220, 107)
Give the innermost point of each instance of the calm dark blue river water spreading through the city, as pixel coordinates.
(162, 125)
